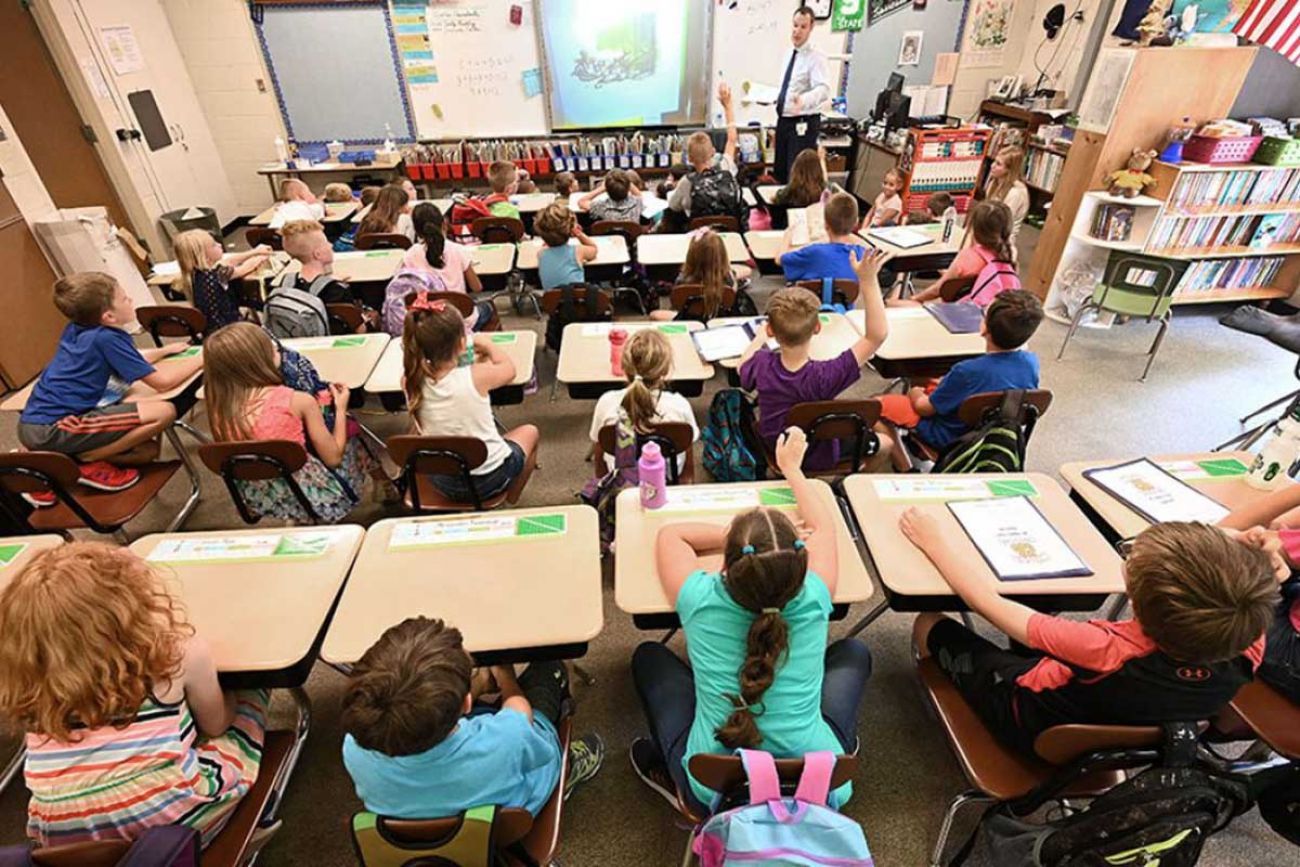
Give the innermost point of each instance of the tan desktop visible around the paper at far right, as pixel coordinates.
(1117, 521)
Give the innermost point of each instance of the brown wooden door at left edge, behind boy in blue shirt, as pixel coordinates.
(25, 298)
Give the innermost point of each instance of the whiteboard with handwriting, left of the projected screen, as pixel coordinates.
(480, 59)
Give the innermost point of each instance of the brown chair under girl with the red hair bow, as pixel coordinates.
(422, 457)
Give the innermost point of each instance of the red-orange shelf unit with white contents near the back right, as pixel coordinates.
(942, 162)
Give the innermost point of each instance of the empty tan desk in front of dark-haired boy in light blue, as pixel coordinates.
(522, 586)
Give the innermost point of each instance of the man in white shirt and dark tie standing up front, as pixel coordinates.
(804, 88)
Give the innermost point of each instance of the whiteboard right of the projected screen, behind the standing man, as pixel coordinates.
(752, 41)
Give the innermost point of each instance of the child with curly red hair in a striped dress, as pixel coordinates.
(127, 726)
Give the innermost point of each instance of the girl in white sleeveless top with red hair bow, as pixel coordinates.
(448, 398)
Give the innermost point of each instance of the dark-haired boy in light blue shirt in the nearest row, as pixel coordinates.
(419, 747)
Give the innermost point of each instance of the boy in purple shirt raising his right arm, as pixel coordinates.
(788, 376)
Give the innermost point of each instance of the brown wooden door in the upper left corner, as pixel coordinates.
(46, 122)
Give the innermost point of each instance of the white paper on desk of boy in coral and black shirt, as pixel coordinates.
(1016, 540)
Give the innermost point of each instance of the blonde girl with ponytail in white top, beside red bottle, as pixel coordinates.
(648, 367)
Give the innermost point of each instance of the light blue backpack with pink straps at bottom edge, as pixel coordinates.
(775, 830)
